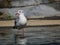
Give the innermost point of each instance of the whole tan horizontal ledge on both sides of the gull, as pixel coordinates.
(11, 23)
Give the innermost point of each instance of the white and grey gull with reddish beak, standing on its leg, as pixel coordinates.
(20, 21)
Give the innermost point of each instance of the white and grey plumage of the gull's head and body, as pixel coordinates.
(21, 19)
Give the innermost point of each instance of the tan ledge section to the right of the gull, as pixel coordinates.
(43, 22)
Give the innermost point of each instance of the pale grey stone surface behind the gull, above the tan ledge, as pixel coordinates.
(49, 9)
